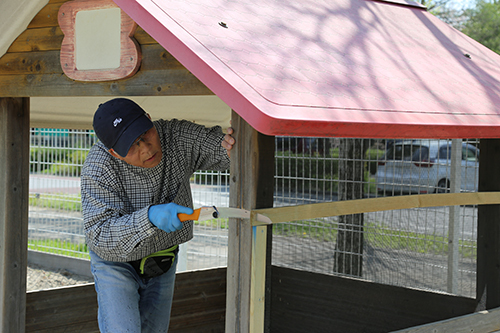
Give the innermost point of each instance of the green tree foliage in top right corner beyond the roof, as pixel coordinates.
(483, 24)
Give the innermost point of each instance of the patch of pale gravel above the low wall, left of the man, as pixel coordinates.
(40, 279)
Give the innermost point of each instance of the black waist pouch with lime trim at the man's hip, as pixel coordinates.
(155, 264)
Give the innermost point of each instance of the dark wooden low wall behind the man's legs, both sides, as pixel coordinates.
(199, 306)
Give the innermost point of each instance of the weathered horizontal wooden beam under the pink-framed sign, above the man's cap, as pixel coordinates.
(39, 74)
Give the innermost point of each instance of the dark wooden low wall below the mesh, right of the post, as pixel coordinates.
(306, 301)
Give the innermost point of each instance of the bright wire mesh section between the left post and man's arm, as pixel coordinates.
(55, 221)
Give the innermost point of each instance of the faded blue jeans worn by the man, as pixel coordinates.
(128, 303)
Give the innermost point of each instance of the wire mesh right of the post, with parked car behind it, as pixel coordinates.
(407, 247)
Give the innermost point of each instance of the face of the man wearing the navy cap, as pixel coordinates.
(145, 152)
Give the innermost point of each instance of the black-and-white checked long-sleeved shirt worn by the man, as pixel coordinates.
(116, 196)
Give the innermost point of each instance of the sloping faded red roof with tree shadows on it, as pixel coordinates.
(345, 68)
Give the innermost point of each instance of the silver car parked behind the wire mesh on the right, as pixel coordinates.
(424, 166)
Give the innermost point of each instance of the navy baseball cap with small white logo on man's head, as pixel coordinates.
(119, 122)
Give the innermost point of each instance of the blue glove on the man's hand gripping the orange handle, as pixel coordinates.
(165, 217)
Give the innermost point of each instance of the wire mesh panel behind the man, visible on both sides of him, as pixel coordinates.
(55, 217)
